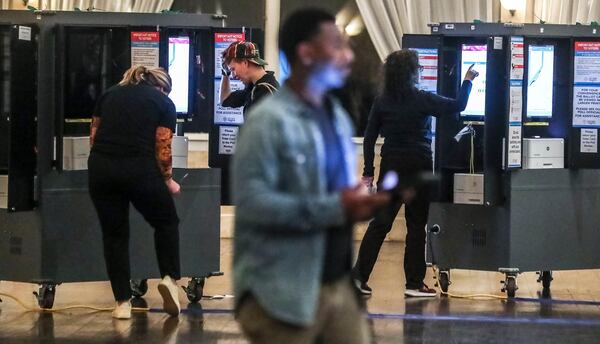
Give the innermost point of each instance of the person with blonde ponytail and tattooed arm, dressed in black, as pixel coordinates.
(130, 162)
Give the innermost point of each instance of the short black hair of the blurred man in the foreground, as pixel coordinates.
(301, 26)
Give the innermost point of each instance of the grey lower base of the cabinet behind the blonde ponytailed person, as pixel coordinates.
(63, 241)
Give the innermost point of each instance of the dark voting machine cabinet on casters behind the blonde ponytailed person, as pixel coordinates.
(53, 72)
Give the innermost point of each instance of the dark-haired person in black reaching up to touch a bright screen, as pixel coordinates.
(402, 115)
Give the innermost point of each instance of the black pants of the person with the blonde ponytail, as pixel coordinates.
(114, 182)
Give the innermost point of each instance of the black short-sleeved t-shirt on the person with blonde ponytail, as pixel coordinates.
(130, 116)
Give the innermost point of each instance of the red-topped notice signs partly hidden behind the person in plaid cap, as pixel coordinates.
(230, 117)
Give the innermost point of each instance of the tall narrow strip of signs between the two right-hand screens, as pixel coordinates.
(515, 114)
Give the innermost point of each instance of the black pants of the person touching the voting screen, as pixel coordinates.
(408, 168)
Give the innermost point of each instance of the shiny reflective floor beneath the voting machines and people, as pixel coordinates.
(561, 317)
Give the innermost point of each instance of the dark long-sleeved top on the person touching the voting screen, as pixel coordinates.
(405, 123)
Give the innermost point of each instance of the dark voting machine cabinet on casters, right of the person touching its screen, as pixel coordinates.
(528, 219)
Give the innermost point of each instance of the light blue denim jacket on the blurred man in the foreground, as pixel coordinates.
(282, 205)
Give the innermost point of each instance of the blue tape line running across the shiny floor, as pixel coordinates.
(434, 317)
